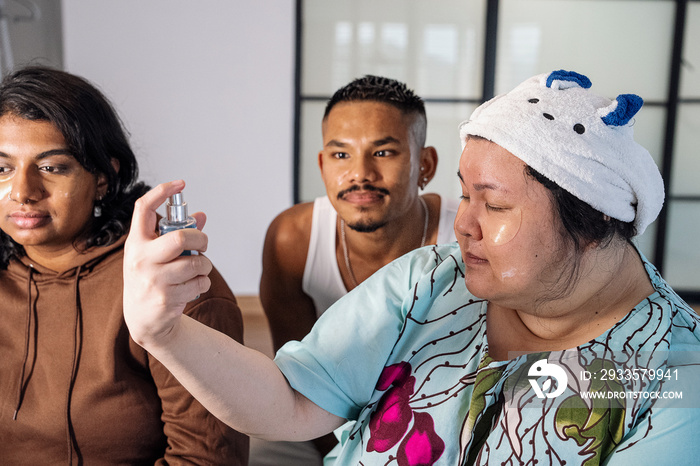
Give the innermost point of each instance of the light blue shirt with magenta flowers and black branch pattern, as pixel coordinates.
(405, 356)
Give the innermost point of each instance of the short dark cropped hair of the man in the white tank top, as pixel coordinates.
(384, 90)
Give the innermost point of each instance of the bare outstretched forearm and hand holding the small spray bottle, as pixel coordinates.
(240, 386)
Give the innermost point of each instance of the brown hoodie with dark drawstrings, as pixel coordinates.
(74, 387)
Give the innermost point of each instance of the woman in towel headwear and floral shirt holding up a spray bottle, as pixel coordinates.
(542, 335)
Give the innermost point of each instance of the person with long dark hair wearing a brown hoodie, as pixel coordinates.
(74, 387)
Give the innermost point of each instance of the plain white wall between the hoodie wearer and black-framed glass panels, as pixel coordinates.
(206, 90)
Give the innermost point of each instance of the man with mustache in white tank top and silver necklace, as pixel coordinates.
(373, 162)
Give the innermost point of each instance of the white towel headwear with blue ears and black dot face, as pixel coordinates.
(581, 141)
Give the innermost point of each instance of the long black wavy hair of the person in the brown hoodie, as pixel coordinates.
(95, 136)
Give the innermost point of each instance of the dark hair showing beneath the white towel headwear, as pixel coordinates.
(584, 224)
